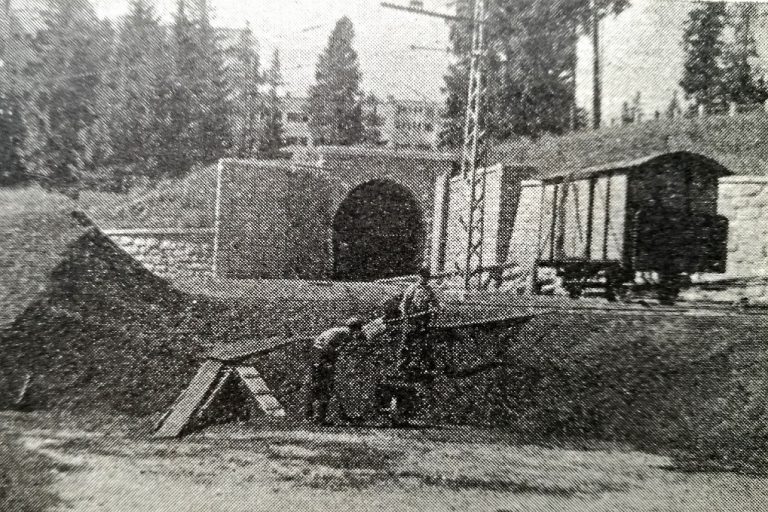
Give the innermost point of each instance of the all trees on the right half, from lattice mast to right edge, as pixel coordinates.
(530, 63)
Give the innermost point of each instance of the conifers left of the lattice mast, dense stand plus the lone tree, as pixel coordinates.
(87, 103)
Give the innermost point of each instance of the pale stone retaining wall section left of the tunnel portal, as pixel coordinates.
(169, 253)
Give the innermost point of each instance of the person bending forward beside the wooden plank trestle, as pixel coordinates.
(322, 372)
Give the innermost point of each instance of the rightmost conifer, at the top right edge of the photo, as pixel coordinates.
(743, 84)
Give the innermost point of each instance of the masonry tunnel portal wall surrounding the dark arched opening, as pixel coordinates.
(275, 220)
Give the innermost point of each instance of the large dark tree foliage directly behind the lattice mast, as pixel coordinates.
(529, 66)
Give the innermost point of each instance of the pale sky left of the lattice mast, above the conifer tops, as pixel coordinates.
(300, 30)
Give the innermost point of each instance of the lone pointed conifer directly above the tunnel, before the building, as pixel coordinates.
(335, 111)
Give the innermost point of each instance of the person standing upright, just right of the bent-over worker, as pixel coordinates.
(417, 308)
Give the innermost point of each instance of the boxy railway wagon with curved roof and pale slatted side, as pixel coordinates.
(613, 225)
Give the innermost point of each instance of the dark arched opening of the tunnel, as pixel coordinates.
(377, 233)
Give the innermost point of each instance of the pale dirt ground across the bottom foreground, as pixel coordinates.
(250, 468)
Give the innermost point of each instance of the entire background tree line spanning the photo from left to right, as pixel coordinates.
(86, 103)
